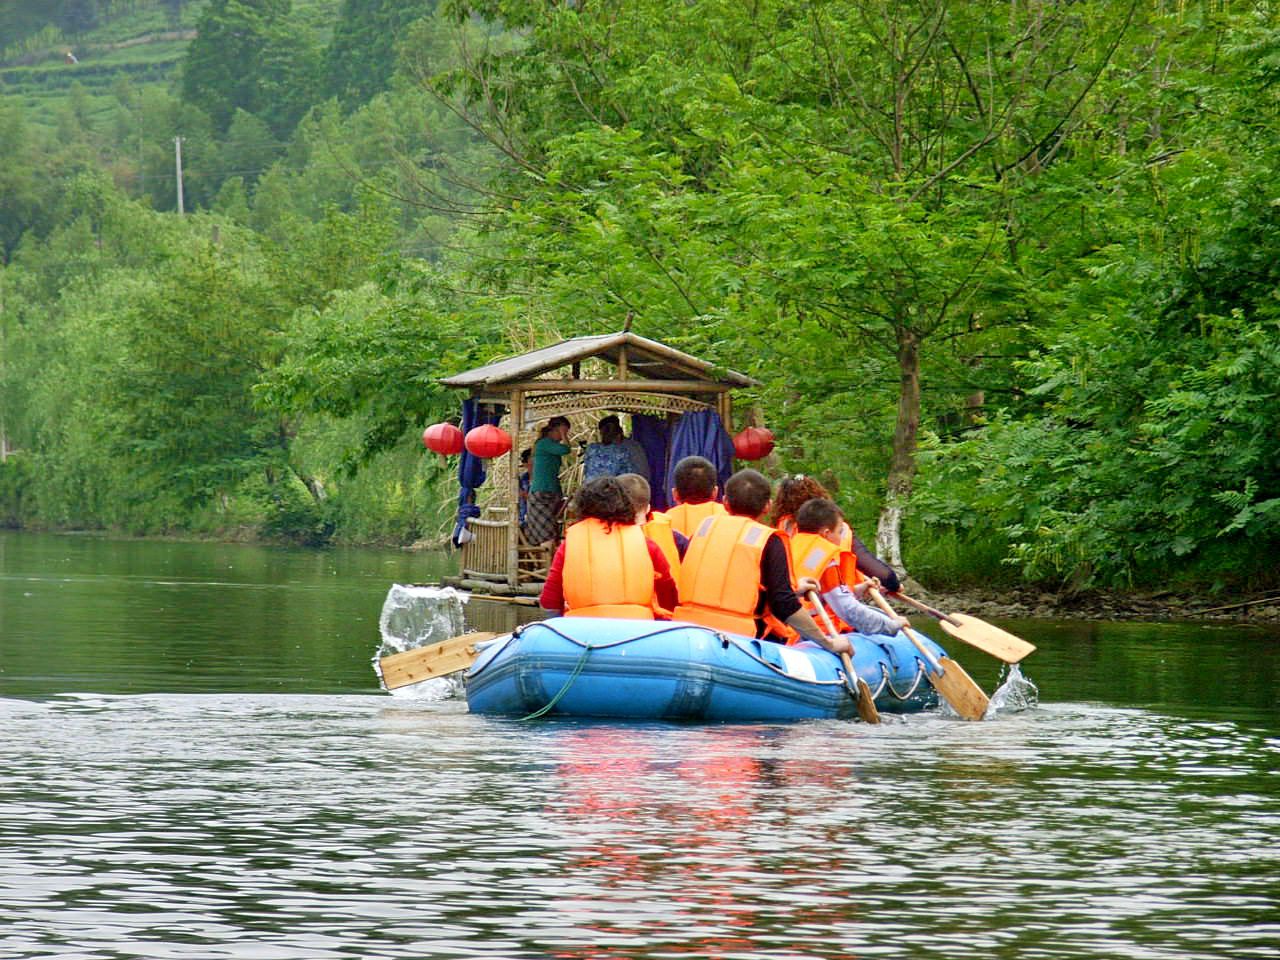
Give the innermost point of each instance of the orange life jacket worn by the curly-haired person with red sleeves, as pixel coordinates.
(607, 572)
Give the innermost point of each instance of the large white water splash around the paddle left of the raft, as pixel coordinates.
(417, 616)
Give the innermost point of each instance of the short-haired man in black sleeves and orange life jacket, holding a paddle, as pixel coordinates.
(737, 575)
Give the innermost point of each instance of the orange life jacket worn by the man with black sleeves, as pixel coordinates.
(720, 579)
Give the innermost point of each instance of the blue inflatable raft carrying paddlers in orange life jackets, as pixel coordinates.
(647, 670)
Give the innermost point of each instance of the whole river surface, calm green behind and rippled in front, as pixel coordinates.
(196, 762)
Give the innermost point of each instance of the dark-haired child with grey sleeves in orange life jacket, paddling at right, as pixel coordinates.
(820, 522)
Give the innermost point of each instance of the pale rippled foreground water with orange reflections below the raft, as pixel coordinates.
(363, 828)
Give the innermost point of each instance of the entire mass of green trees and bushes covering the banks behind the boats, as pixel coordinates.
(1009, 272)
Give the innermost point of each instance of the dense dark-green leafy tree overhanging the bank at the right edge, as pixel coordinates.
(1144, 450)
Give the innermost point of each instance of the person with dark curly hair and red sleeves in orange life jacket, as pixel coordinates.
(606, 566)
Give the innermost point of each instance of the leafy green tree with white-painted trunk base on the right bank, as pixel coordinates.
(845, 171)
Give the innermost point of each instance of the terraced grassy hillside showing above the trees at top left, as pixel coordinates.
(139, 43)
